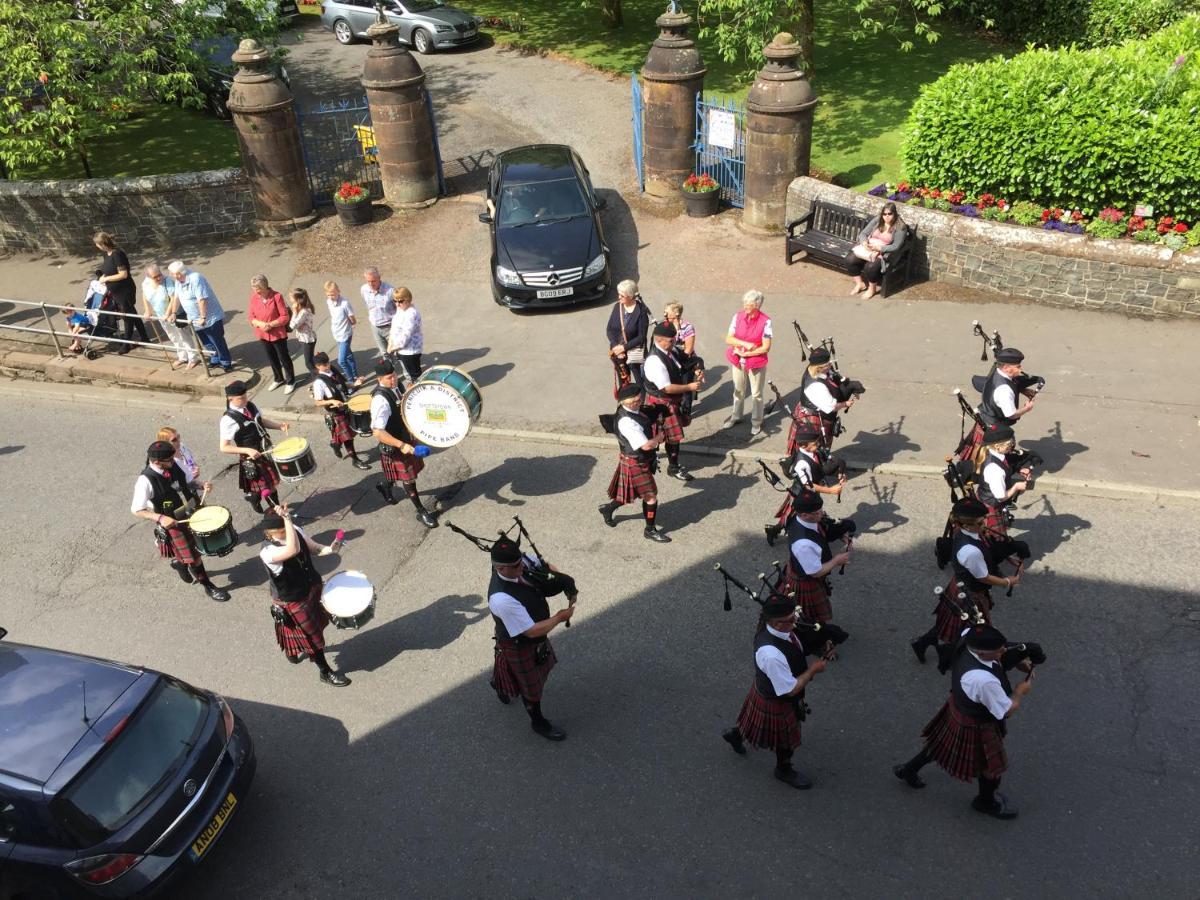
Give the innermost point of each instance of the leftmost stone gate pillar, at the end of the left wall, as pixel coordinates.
(269, 141)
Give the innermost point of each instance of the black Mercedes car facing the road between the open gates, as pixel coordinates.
(548, 243)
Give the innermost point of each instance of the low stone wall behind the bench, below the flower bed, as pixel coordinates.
(1033, 265)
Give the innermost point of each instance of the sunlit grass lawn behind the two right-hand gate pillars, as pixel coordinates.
(866, 88)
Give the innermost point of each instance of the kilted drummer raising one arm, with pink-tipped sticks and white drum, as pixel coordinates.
(299, 617)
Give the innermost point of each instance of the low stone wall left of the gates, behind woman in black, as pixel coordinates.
(157, 211)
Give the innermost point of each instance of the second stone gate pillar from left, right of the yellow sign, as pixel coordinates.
(404, 131)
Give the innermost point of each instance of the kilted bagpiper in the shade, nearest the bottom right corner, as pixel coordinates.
(967, 737)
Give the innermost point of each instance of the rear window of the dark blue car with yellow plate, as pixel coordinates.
(127, 773)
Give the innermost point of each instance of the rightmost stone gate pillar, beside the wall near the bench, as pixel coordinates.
(779, 134)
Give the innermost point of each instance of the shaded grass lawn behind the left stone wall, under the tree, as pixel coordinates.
(160, 140)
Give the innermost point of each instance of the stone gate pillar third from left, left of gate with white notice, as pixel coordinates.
(675, 76)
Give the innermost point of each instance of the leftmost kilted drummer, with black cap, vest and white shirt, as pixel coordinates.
(164, 495)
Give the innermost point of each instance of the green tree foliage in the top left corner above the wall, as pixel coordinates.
(73, 70)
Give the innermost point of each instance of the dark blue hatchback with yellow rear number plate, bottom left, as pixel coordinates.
(113, 779)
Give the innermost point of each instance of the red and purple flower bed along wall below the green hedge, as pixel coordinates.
(1109, 224)
